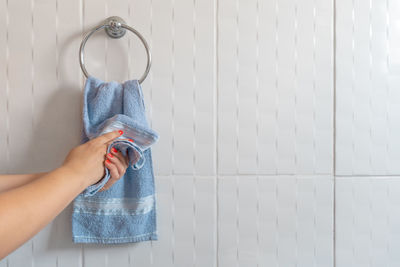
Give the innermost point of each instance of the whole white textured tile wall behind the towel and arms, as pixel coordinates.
(278, 121)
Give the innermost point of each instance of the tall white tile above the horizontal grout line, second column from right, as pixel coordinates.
(275, 89)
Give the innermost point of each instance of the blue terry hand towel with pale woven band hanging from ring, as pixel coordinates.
(126, 212)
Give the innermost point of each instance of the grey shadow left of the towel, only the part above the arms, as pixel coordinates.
(57, 119)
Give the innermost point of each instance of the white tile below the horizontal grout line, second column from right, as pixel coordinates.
(275, 221)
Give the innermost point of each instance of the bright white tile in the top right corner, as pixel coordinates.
(368, 68)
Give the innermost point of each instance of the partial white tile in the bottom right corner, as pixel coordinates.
(367, 221)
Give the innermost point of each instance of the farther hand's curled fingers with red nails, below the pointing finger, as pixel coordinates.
(117, 165)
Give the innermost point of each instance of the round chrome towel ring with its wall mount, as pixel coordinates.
(115, 28)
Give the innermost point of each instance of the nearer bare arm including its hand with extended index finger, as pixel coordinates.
(26, 209)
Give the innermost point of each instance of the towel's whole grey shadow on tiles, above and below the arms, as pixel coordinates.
(57, 129)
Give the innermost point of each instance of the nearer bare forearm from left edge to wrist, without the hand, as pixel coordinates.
(25, 210)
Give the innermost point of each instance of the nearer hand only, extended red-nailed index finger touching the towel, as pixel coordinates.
(86, 161)
